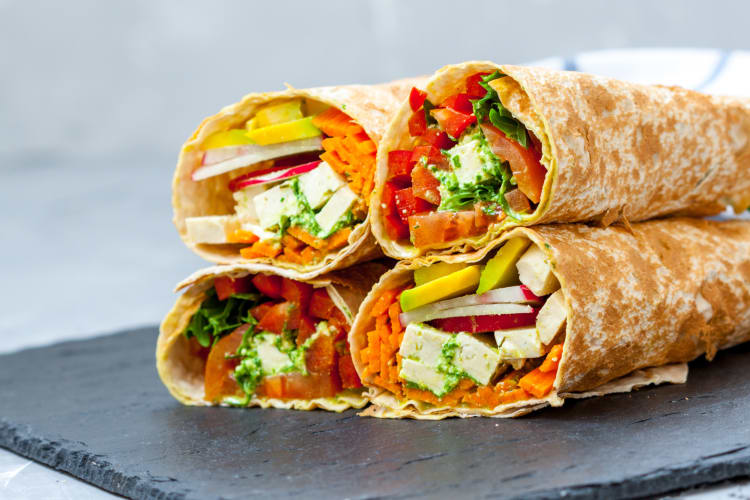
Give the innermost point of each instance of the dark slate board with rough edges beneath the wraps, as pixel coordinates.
(96, 409)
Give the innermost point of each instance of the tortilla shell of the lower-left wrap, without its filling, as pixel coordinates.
(180, 367)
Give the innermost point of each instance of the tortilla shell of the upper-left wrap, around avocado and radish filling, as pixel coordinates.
(370, 106)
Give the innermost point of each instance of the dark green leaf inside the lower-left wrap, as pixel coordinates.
(215, 318)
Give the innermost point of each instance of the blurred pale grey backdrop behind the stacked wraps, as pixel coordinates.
(96, 98)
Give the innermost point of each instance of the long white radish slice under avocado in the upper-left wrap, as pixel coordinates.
(255, 153)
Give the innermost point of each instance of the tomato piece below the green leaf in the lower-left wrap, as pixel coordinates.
(218, 376)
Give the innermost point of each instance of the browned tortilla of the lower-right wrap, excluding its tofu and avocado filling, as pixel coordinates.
(639, 302)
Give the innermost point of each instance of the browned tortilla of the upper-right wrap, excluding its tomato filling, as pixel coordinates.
(613, 150)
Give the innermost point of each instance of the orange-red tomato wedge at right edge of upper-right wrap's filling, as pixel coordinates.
(524, 164)
